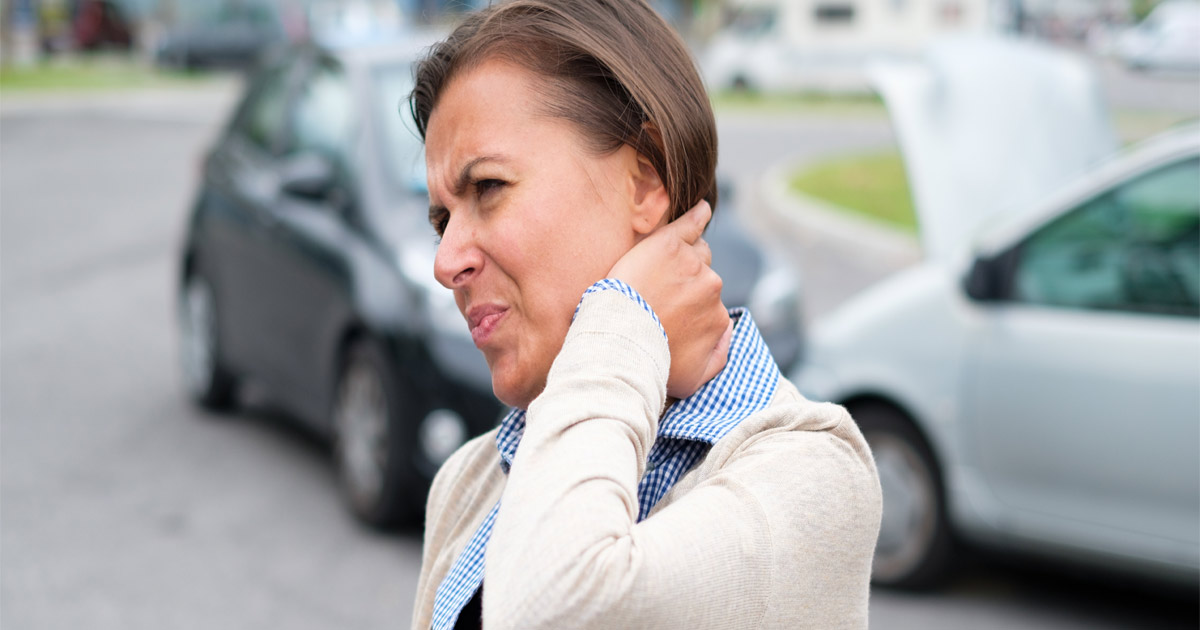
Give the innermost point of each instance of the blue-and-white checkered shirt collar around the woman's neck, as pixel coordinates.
(745, 387)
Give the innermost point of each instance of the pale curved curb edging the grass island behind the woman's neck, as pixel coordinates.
(807, 220)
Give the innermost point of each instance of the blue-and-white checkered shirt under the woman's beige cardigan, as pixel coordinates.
(686, 434)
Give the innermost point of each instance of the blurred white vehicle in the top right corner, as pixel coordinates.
(1168, 40)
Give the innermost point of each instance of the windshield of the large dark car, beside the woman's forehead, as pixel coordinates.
(404, 155)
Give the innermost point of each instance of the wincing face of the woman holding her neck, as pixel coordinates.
(530, 219)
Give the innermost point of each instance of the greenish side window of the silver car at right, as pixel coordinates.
(1135, 249)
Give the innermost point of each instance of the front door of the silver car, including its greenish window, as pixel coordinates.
(1083, 404)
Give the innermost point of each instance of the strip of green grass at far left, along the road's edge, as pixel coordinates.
(87, 74)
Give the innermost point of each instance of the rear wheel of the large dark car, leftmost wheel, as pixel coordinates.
(208, 382)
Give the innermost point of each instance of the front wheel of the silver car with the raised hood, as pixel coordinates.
(915, 545)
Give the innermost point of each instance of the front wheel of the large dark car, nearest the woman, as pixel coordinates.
(374, 439)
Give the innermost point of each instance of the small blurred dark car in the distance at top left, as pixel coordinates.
(233, 39)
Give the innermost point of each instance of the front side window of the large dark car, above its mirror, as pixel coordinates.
(323, 117)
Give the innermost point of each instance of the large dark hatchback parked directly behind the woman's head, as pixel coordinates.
(308, 268)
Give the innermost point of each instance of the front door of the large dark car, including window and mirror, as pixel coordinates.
(305, 251)
